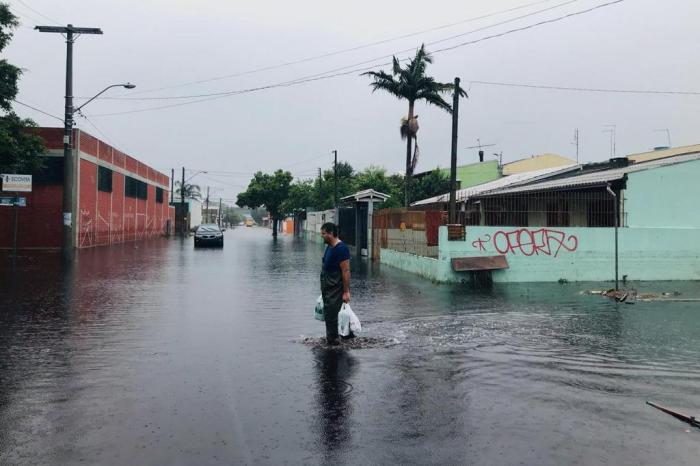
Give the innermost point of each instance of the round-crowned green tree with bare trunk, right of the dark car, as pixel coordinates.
(270, 191)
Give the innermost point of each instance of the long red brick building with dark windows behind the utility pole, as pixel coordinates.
(116, 198)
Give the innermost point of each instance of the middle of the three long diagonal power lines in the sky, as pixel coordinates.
(354, 65)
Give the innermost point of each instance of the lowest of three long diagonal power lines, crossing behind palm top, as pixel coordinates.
(321, 76)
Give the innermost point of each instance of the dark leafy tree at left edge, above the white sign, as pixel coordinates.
(20, 147)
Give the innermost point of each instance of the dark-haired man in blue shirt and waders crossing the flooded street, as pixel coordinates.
(335, 279)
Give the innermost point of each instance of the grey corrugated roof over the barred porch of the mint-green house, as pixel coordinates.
(596, 178)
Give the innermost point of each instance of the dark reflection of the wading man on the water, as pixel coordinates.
(334, 371)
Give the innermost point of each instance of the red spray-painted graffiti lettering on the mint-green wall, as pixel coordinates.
(543, 241)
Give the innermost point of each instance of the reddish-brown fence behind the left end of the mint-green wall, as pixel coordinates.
(413, 232)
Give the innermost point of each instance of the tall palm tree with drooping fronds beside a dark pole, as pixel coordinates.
(411, 83)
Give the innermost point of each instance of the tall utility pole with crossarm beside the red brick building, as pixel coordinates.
(70, 32)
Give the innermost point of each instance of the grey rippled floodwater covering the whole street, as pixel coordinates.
(156, 353)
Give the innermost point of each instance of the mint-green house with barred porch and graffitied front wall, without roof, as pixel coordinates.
(564, 228)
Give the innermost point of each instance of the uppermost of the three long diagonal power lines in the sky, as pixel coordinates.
(338, 52)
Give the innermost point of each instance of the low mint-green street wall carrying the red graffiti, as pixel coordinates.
(572, 254)
